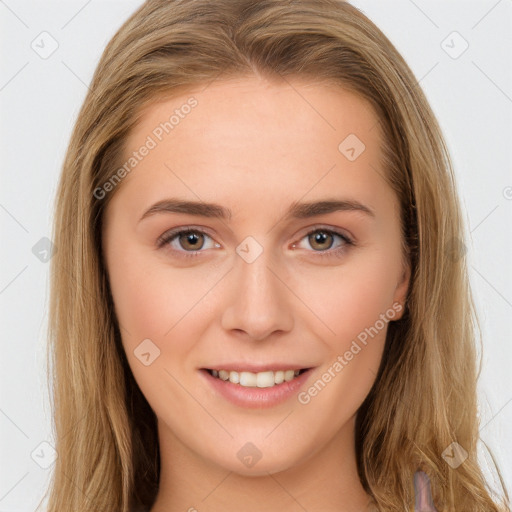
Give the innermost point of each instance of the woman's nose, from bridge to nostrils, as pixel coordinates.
(260, 303)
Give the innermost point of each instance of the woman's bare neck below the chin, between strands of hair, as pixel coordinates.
(327, 481)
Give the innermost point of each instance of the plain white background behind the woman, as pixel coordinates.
(39, 101)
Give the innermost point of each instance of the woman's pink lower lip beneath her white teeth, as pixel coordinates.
(257, 398)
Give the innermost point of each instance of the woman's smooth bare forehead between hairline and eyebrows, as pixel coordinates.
(257, 139)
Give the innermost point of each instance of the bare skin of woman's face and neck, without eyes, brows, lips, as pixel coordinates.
(256, 147)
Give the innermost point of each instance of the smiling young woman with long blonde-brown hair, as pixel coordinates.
(210, 352)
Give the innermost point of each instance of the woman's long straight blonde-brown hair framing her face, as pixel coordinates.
(424, 397)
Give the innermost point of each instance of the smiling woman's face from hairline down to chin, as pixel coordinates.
(296, 266)
